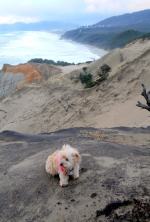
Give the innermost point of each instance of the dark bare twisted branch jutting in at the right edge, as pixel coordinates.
(146, 95)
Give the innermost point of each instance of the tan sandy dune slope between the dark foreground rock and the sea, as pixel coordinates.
(62, 101)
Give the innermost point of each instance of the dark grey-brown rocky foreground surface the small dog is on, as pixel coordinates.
(114, 183)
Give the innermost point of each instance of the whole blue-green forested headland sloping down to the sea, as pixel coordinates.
(113, 32)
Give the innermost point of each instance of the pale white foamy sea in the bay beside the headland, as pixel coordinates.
(19, 47)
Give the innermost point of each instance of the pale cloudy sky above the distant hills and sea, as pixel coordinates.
(75, 11)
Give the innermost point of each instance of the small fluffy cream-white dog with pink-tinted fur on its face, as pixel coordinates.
(64, 162)
